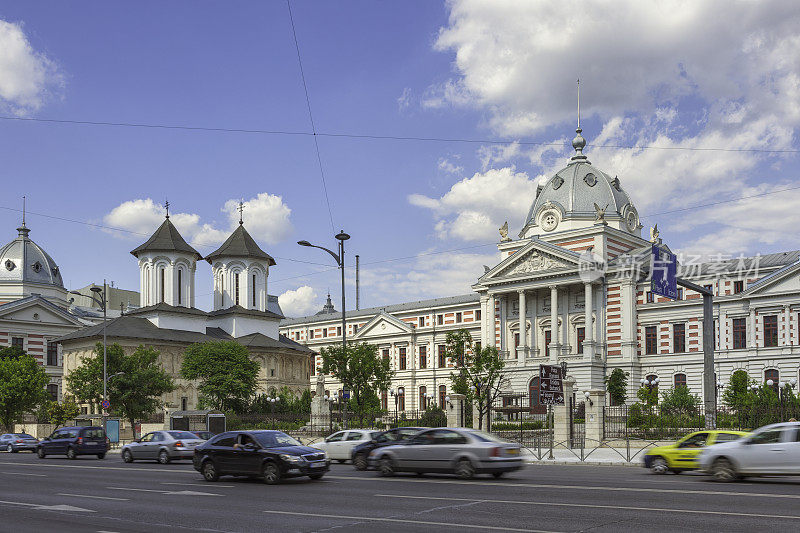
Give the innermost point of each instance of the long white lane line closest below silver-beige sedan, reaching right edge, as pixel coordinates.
(574, 487)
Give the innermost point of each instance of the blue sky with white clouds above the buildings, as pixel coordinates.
(435, 122)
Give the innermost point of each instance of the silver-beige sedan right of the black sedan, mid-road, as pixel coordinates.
(460, 451)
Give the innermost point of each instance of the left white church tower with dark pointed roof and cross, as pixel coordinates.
(166, 268)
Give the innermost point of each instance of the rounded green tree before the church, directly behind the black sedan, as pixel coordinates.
(227, 375)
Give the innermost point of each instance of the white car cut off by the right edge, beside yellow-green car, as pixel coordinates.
(770, 450)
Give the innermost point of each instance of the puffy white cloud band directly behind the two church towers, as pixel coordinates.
(266, 219)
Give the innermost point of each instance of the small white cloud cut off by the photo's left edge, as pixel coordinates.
(27, 77)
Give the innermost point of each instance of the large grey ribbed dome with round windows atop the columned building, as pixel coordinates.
(572, 197)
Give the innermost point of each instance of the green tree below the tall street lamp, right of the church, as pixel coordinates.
(360, 370)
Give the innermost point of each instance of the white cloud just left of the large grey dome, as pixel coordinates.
(475, 207)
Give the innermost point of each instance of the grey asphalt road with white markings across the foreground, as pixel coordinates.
(108, 495)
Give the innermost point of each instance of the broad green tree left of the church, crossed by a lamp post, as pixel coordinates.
(134, 393)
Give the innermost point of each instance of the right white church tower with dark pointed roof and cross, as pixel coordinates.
(240, 269)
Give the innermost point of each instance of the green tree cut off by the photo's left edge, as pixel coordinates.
(22, 385)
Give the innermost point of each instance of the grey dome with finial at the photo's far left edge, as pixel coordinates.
(24, 261)
